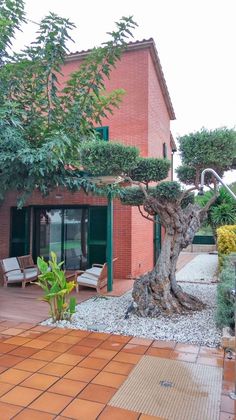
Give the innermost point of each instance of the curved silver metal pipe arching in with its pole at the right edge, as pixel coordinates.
(232, 394)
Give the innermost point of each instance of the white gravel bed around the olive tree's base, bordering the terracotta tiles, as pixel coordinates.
(107, 315)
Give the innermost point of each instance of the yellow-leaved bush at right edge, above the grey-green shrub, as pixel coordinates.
(226, 241)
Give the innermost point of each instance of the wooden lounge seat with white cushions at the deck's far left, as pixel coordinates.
(13, 273)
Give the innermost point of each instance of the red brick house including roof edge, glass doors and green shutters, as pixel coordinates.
(74, 225)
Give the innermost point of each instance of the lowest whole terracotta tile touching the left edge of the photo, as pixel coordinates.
(20, 395)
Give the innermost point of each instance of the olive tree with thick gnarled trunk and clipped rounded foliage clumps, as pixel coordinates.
(158, 292)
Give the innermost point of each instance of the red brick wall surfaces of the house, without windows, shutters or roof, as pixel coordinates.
(143, 121)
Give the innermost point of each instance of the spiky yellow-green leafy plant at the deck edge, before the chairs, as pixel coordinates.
(56, 289)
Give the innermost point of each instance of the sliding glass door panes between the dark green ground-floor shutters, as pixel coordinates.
(63, 231)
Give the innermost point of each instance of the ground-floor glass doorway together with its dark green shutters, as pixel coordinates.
(78, 235)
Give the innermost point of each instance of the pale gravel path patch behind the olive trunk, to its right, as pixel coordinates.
(203, 268)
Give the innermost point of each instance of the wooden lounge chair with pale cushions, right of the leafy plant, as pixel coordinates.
(95, 277)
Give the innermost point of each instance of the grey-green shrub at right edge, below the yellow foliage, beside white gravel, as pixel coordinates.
(225, 303)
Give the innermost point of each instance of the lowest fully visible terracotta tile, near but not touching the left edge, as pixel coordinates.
(51, 403)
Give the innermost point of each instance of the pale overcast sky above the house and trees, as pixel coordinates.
(195, 40)
